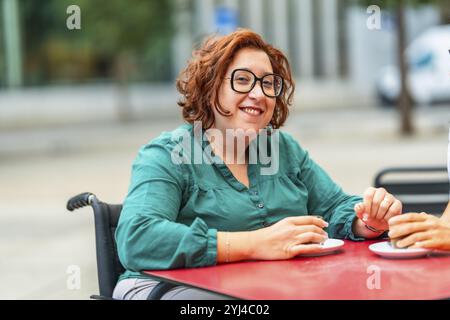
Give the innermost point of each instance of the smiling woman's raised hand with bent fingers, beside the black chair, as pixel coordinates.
(377, 208)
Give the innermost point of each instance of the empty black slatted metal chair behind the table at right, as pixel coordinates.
(421, 189)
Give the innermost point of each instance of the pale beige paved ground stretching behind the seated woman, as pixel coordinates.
(40, 170)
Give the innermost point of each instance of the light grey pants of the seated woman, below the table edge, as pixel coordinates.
(139, 289)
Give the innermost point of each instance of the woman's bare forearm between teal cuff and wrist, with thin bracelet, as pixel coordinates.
(234, 246)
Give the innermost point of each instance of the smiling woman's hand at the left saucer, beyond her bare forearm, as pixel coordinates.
(288, 238)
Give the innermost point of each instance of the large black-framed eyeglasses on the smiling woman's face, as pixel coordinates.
(243, 81)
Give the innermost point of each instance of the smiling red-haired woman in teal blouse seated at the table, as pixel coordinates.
(181, 213)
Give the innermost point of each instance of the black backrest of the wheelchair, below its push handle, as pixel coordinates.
(109, 268)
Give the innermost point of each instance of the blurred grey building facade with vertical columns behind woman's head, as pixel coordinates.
(323, 39)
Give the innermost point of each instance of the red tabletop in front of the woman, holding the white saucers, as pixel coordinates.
(349, 274)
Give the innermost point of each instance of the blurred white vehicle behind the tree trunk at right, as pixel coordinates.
(428, 59)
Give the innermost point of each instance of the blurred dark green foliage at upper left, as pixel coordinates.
(125, 40)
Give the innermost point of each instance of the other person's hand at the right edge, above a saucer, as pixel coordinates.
(420, 230)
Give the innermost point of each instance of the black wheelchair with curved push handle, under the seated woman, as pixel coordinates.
(109, 268)
